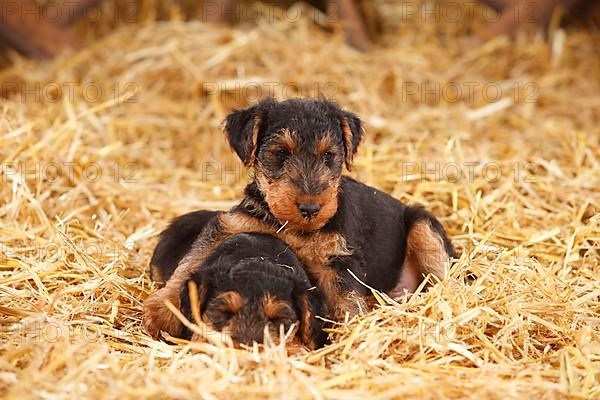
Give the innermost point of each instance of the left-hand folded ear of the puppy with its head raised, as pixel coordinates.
(242, 129)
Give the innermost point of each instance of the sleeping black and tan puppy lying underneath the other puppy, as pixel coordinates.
(248, 283)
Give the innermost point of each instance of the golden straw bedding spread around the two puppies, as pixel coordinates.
(515, 181)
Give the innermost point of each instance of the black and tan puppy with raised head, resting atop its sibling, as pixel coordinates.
(334, 224)
